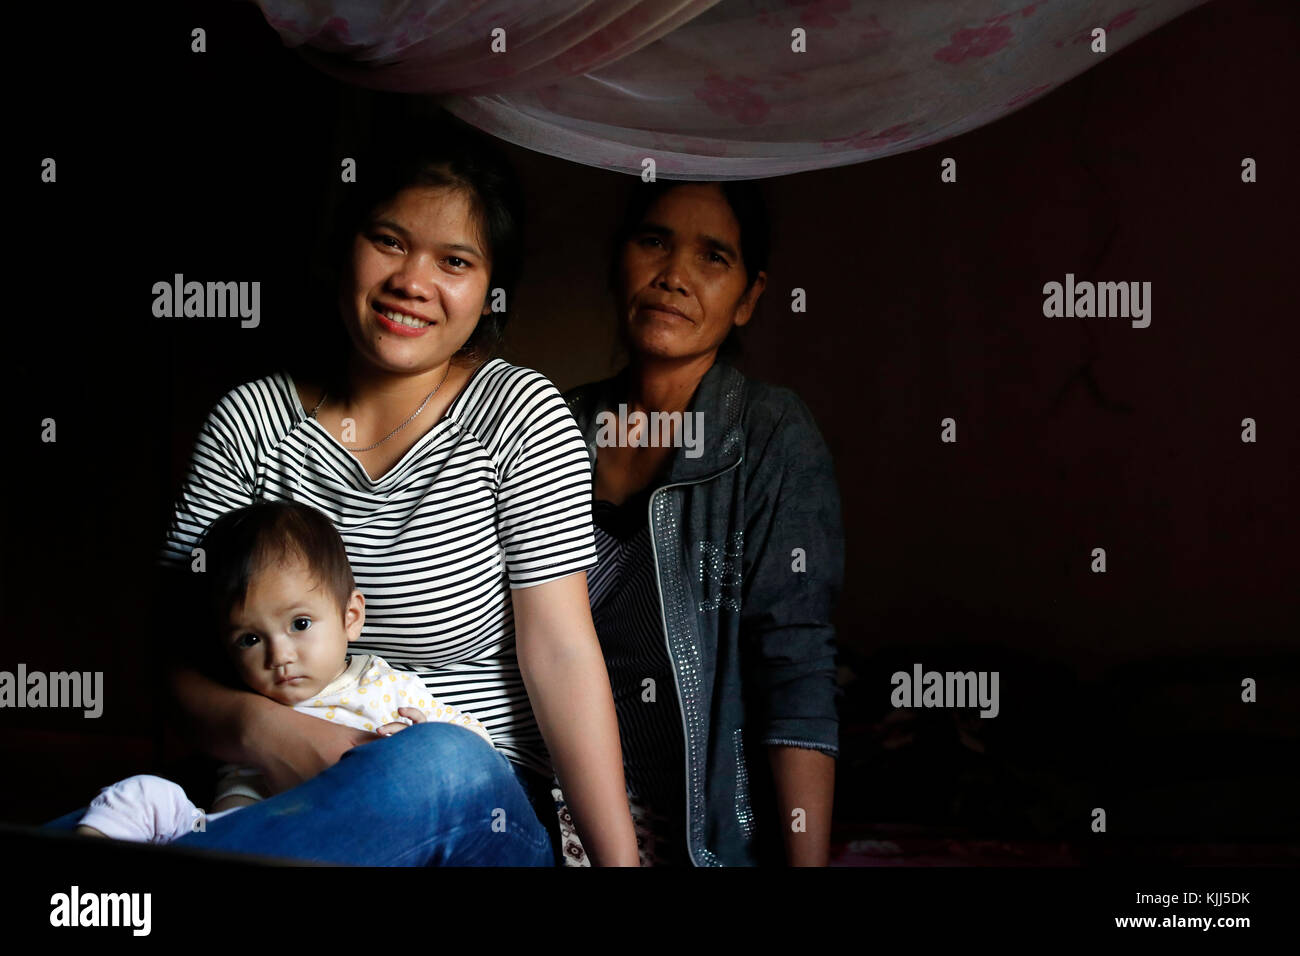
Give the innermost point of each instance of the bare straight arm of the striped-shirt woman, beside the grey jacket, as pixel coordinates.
(569, 687)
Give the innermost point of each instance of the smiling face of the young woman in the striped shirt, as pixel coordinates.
(418, 280)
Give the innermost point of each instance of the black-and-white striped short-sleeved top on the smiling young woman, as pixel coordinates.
(496, 496)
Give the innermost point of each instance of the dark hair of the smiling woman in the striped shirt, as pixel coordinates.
(428, 152)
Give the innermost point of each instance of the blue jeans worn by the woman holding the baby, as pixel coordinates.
(431, 795)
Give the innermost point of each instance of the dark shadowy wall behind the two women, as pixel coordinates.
(925, 302)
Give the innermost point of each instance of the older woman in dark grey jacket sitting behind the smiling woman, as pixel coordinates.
(718, 527)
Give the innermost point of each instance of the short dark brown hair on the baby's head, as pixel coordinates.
(248, 540)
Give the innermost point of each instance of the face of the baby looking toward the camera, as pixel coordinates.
(289, 641)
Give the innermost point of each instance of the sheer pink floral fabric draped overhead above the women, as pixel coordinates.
(714, 90)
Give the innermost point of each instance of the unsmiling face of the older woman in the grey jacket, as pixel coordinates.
(682, 280)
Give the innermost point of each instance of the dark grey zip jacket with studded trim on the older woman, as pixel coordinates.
(749, 547)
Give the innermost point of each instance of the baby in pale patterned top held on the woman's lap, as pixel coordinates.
(279, 583)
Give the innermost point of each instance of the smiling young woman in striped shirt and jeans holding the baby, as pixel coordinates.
(460, 486)
